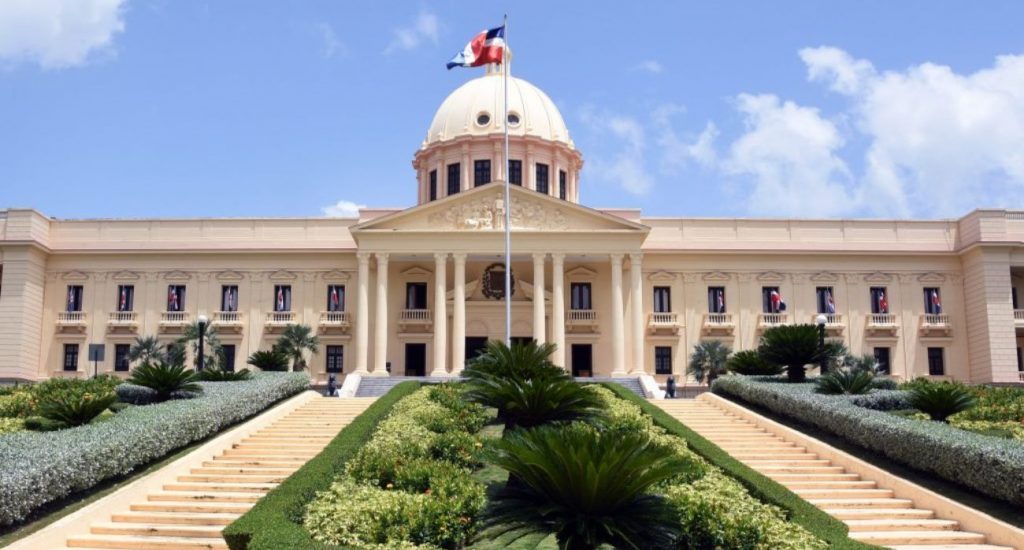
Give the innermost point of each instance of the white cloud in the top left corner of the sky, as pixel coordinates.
(58, 34)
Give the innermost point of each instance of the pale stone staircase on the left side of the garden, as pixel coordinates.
(193, 512)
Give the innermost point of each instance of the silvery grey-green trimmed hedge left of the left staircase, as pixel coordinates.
(42, 468)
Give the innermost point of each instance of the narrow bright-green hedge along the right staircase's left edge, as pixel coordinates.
(800, 512)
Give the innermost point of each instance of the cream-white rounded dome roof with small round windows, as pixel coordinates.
(472, 111)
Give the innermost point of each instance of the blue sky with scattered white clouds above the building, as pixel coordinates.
(139, 109)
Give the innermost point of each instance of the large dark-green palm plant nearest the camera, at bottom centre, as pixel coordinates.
(586, 488)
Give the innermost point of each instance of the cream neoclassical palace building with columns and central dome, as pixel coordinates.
(418, 291)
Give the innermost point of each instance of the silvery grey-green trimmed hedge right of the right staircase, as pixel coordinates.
(993, 467)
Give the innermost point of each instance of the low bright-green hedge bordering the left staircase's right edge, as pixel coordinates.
(276, 522)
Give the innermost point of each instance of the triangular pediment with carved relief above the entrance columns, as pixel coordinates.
(482, 209)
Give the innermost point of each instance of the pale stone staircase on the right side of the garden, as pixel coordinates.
(874, 515)
